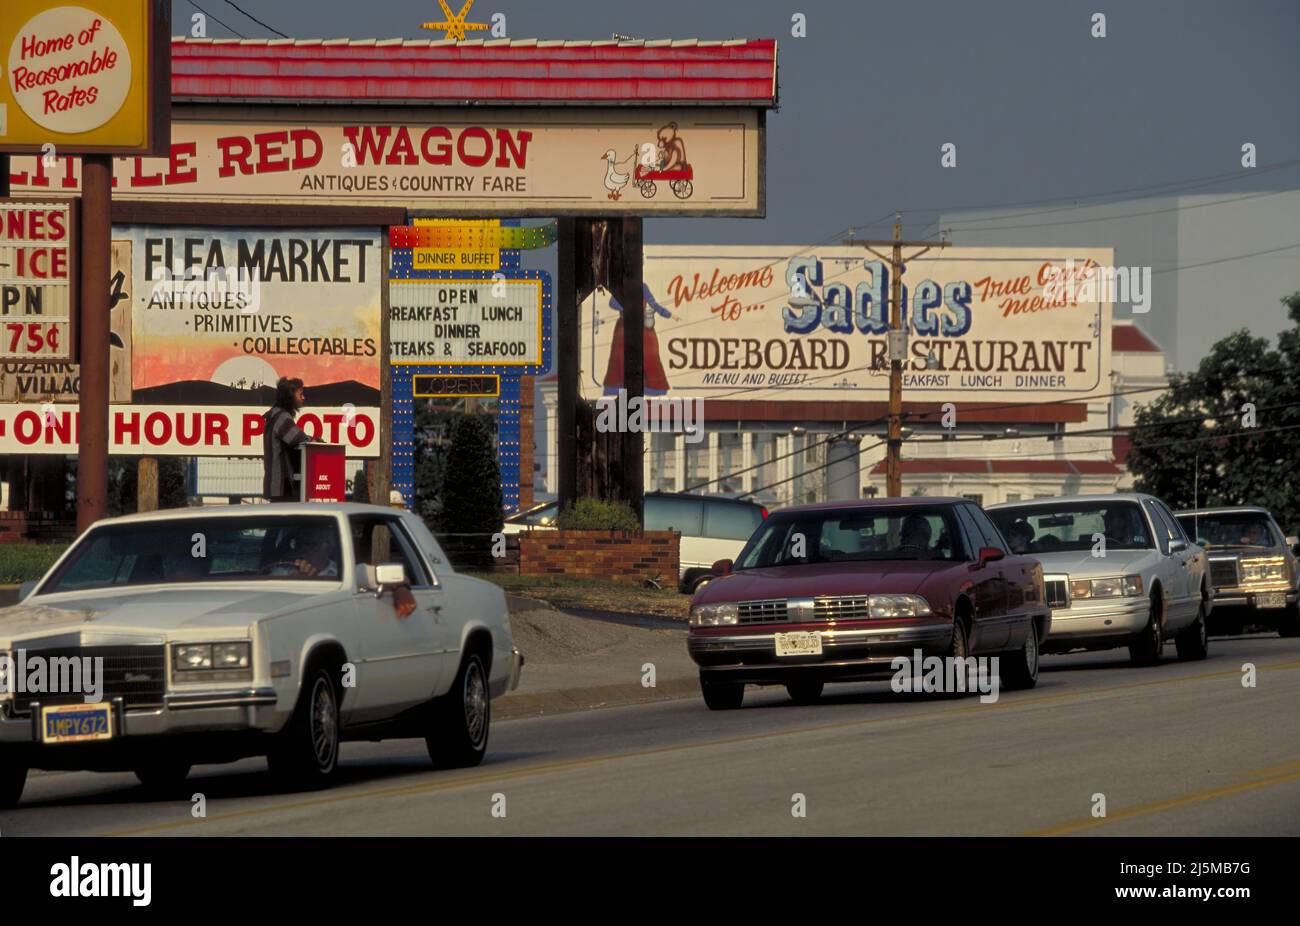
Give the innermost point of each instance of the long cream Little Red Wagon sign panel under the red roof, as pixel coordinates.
(488, 163)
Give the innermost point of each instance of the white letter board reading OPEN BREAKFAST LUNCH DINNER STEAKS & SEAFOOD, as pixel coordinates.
(466, 322)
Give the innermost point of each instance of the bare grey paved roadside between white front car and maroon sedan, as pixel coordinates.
(579, 663)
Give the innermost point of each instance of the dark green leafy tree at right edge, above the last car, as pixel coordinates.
(1227, 432)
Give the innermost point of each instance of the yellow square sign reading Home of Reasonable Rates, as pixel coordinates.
(85, 77)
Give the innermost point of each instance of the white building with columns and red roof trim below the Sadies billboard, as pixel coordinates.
(783, 453)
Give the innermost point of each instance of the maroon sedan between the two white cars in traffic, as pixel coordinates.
(835, 592)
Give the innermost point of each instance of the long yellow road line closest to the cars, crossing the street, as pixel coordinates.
(575, 765)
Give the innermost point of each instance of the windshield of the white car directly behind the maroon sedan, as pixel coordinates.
(1050, 529)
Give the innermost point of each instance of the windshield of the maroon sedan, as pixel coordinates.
(855, 535)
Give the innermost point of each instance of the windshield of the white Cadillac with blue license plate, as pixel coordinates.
(202, 549)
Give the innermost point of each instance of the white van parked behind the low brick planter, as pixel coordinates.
(712, 527)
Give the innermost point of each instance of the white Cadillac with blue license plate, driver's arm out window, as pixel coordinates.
(164, 641)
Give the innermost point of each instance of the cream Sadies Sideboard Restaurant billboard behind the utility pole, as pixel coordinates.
(783, 323)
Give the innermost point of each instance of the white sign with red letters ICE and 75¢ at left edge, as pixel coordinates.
(37, 275)
